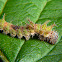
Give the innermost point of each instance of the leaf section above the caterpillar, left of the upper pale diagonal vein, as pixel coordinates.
(18, 11)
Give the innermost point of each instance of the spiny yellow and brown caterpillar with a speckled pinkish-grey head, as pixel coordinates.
(44, 32)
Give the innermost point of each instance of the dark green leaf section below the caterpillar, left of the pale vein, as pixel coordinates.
(10, 46)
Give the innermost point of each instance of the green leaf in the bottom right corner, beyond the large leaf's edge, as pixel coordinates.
(55, 55)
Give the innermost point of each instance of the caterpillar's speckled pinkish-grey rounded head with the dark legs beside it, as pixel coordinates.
(51, 38)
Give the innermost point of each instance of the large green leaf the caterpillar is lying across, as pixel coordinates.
(38, 11)
